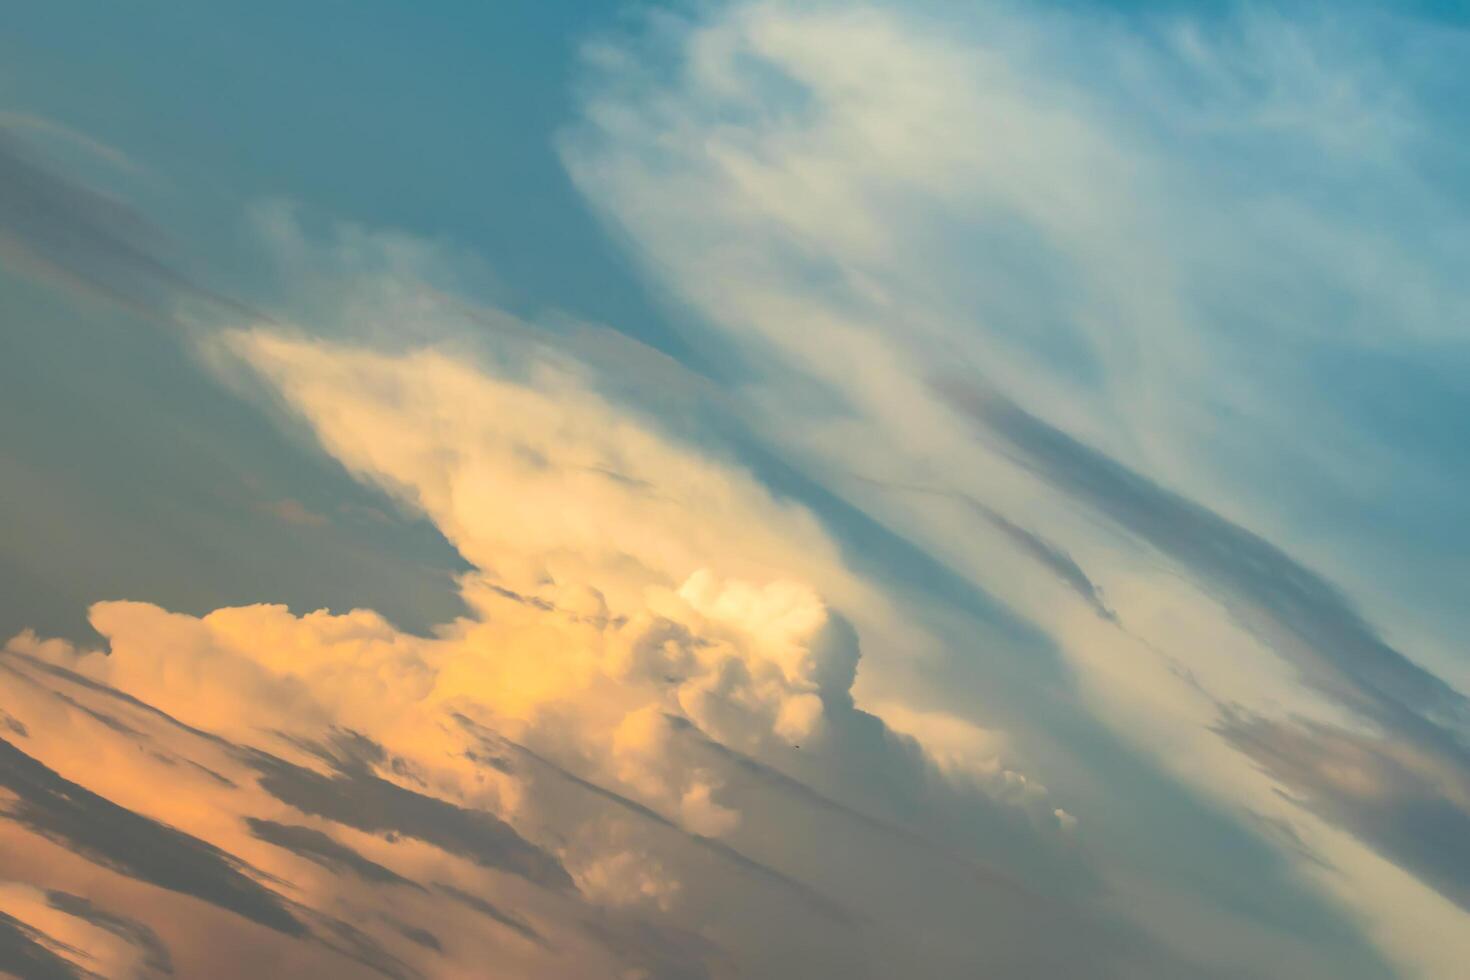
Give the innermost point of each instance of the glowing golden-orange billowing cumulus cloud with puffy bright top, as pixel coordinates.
(643, 638)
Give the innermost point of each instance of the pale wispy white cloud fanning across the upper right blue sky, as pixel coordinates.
(1109, 221)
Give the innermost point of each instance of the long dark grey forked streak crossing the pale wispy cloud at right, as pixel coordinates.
(1403, 784)
